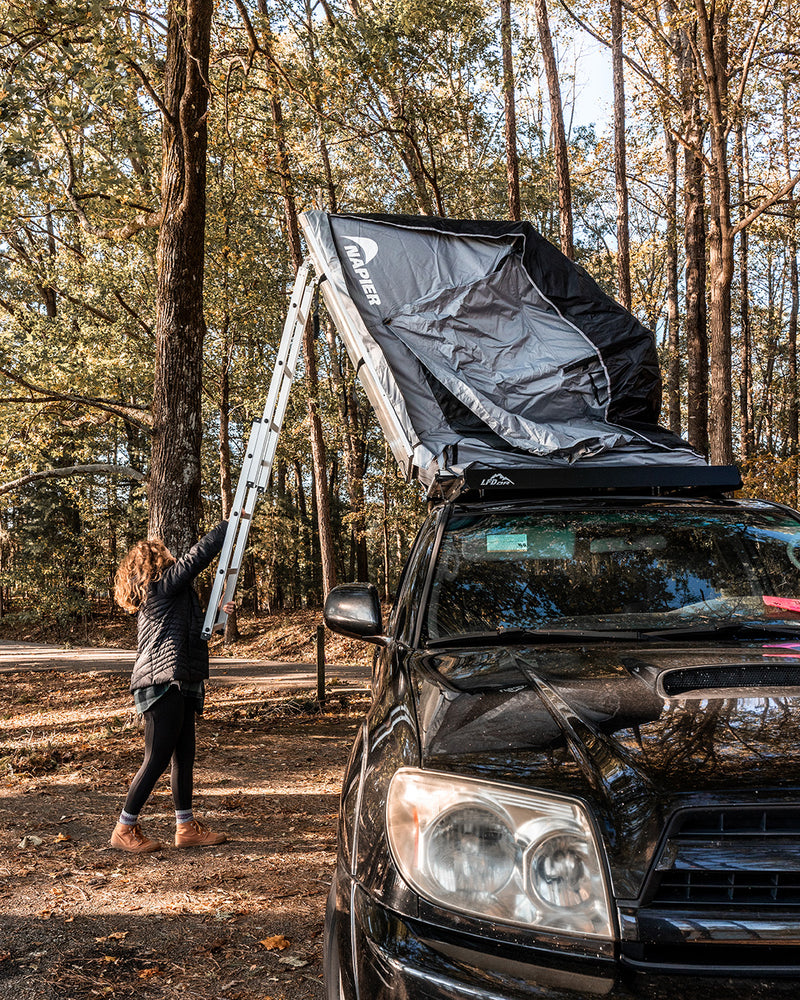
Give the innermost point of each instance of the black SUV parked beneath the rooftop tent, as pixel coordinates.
(579, 774)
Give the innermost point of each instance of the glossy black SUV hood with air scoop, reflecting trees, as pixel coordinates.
(636, 733)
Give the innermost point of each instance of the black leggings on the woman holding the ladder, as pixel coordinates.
(168, 735)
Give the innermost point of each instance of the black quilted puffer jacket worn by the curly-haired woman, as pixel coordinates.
(169, 645)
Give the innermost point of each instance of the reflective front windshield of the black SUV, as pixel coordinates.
(645, 567)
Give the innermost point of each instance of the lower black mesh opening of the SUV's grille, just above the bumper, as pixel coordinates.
(729, 889)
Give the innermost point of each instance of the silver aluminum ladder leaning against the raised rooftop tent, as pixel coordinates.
(260, 453)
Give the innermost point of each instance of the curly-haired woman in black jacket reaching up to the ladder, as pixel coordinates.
(167, 681)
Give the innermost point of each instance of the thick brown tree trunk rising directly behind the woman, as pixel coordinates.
(174, 485)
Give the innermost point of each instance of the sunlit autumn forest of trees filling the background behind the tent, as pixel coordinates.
(681, 203)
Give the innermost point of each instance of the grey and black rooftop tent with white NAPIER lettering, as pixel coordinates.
(485, 347)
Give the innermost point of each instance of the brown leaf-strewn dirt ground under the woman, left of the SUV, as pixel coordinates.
(242, 921)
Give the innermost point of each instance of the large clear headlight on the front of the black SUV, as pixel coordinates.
(498, 852)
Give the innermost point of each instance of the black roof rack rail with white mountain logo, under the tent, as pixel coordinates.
(641, 480)
